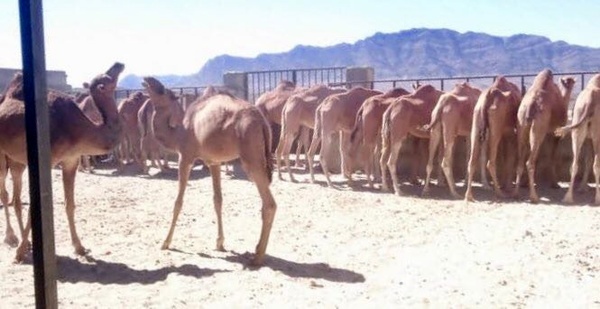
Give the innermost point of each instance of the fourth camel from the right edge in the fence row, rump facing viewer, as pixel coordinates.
(452, 117)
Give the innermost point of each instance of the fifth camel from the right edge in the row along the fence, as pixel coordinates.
(405, 115)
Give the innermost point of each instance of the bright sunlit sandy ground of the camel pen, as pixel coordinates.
(329, 248)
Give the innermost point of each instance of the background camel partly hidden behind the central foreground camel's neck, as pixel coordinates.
(150, 148)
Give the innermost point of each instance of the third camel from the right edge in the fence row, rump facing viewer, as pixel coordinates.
(493, 121)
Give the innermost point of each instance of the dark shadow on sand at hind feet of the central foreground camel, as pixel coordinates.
(299, 270)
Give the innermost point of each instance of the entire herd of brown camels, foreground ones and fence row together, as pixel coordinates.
(372, 126)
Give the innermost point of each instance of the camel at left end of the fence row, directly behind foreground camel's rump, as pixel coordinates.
(271, 104)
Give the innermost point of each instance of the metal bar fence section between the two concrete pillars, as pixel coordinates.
(263, 81)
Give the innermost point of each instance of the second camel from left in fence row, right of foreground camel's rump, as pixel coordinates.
(297, 117)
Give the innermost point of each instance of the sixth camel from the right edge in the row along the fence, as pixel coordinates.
(365, 139)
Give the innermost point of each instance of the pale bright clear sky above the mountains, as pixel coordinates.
(84, 37)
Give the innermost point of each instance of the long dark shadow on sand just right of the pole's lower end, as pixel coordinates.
(104, 272)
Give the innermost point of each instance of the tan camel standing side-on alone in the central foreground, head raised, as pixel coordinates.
(217, 128)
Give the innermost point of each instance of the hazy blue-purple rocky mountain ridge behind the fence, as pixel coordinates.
(410, 53)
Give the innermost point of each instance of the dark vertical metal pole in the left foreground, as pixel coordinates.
(38, 152)
